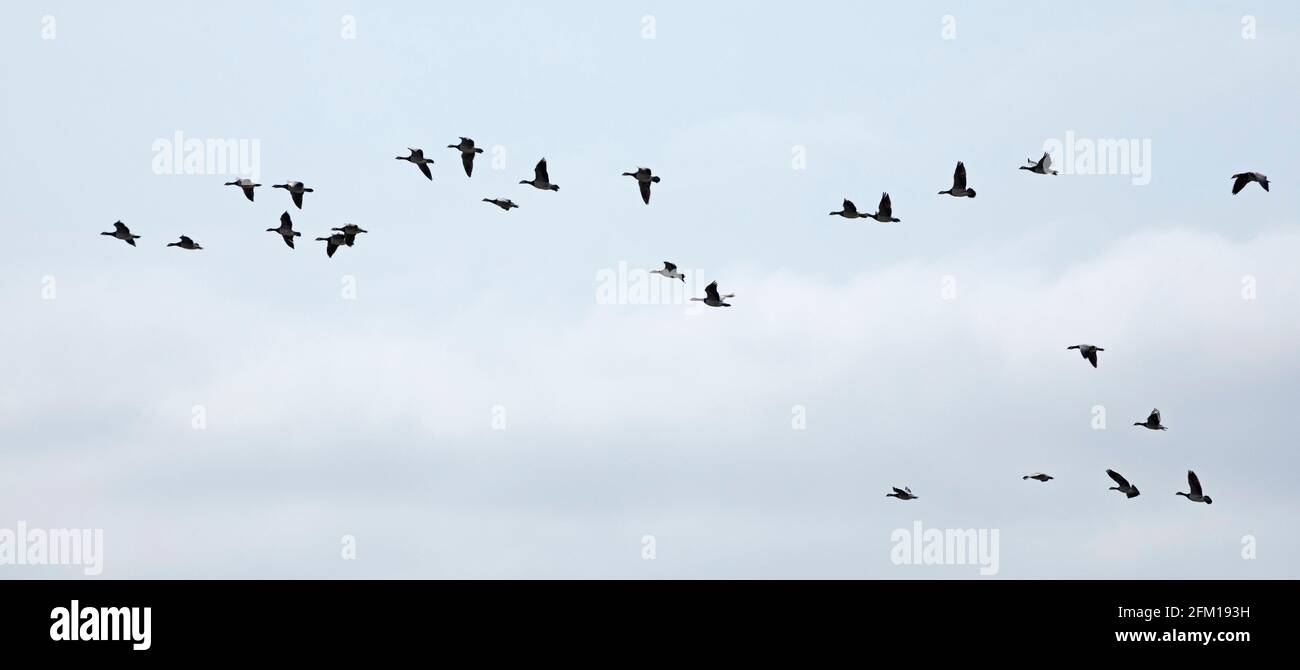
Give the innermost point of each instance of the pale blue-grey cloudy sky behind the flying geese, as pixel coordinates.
(454, 394)
